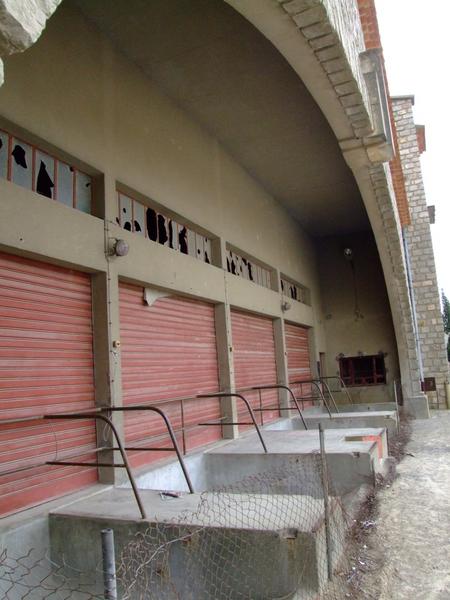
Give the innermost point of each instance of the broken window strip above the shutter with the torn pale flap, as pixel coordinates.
(158, 227)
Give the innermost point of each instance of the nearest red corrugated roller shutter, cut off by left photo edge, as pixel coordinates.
(46, 366)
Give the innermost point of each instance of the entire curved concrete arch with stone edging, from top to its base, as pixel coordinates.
(308, 39)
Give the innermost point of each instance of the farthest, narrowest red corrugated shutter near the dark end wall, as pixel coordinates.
(298, 358)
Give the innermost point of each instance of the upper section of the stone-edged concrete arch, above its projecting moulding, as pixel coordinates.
(346, 81)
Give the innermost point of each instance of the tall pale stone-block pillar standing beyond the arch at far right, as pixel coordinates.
(418, 235)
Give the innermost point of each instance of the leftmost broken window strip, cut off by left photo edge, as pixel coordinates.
(34, 169)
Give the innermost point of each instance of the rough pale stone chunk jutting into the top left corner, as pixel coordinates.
(21, 24)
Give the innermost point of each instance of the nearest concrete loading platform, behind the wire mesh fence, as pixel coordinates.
(279, 550)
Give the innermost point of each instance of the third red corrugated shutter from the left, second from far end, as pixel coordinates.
(254, 362)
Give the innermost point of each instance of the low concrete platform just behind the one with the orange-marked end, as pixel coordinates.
(342, 420)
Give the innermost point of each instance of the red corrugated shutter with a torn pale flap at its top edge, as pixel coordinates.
(168, 351)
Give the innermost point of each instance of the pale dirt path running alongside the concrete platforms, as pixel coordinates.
(405, 532)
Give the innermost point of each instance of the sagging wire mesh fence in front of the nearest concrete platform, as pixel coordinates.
(279, 533)
